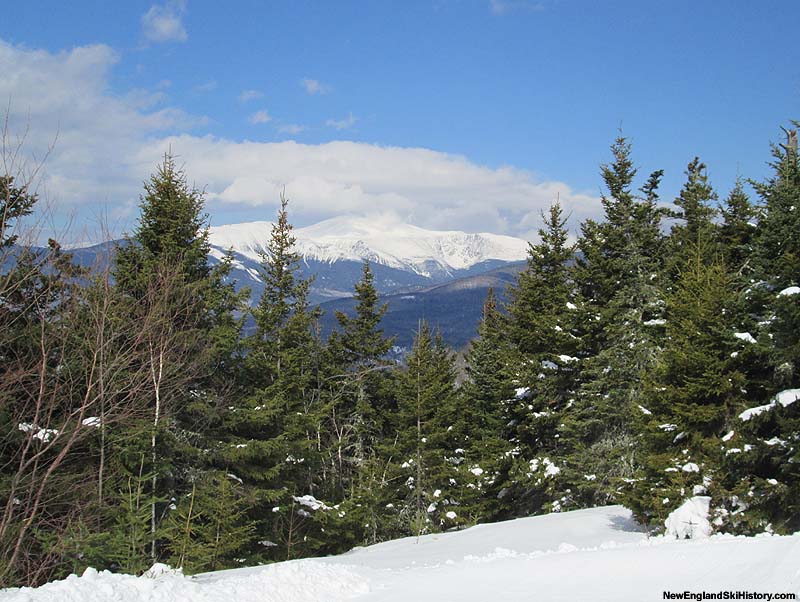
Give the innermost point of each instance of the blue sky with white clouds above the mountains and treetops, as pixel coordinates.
(449, 114)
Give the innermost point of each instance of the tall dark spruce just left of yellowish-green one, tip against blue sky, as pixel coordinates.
(619, 283)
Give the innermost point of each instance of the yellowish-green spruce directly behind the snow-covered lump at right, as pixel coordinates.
(692, 397)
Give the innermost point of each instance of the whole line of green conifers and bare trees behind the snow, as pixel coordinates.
(654, 359)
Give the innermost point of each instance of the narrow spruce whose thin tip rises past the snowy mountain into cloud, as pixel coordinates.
(269, 438)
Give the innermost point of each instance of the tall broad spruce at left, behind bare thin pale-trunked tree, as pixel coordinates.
(162, 268)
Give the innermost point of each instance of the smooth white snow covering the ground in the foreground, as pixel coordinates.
(597, 554)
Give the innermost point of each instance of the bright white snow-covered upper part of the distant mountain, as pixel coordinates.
(381, 240)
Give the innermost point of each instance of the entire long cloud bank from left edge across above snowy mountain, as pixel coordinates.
(107, 145)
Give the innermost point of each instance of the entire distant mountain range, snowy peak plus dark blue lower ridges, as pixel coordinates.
(439, 276)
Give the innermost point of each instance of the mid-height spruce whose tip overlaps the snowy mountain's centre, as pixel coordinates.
(357, 396)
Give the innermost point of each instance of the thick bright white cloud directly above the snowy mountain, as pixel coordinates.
(423, 186)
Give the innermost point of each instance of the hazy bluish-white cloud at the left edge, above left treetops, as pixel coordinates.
(62, 99)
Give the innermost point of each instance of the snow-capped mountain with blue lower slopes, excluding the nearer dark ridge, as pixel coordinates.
(404, 258)
